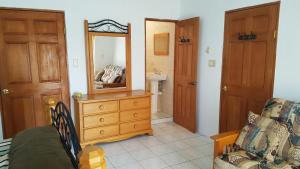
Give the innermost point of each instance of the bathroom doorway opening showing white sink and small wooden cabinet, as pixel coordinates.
(160, 54)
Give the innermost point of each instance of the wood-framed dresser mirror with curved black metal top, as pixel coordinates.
(108, 48)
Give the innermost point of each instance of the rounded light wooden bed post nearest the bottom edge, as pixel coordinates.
(92, 157)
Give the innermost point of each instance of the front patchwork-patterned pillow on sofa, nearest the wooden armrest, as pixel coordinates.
(262, 136)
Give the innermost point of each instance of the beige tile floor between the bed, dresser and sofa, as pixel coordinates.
(171, 147)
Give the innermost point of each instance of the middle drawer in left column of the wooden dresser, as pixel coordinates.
(100, 120)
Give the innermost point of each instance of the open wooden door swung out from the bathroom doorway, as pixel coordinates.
(185, 80)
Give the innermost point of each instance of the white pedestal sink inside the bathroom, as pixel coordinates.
(155, 78)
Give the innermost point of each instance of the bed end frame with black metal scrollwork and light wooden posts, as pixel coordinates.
(92, 157)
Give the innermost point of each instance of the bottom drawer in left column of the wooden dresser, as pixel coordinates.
(100, 132)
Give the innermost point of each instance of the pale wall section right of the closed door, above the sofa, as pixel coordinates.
(287, 81)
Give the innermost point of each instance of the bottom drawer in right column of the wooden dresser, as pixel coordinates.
(134, 126)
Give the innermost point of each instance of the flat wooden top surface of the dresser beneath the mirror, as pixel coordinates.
(113, 96)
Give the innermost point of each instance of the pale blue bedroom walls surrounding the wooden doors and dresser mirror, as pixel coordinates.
(211, 13)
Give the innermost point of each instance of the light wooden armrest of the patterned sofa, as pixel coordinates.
(222, 140)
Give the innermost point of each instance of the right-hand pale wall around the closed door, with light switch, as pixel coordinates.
(211, 13)
